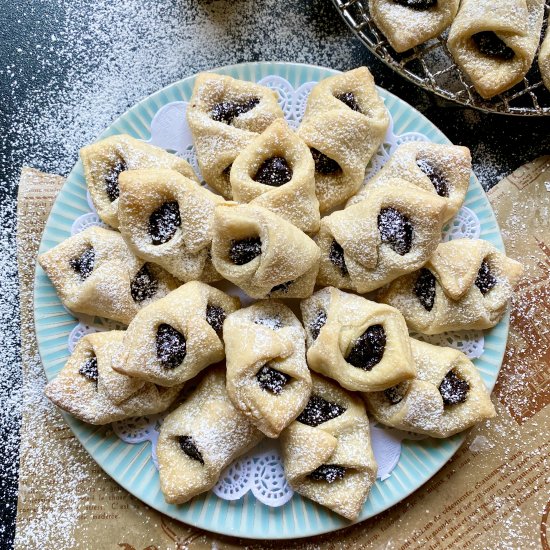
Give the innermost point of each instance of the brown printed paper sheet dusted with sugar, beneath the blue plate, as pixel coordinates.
(492, 494)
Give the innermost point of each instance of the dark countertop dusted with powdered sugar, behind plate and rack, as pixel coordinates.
(69, 68)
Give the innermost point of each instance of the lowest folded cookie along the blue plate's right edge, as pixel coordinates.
(446, 397)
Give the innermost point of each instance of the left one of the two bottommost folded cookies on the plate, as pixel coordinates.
(200, 439)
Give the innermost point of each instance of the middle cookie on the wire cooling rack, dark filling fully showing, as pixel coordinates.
(494, 41)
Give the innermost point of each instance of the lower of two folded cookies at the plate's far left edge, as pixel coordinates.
(89, 388)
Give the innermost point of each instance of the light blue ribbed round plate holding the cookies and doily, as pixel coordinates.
(131, 465)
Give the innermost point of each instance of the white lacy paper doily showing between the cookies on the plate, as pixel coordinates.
(261, 471)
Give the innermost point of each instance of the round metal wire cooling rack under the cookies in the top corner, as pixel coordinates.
(432, 67)
